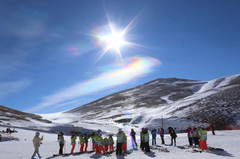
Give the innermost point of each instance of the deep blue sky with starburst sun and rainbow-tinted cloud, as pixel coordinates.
(59, 54)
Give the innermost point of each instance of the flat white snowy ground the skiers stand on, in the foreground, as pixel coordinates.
(22, 148)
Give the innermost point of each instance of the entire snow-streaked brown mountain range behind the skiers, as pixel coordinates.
(179, 102)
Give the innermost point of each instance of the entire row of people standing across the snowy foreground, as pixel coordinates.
(196, 136)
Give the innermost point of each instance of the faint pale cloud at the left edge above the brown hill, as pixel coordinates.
(9, 88)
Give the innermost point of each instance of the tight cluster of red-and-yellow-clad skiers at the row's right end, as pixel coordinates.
(198, 136)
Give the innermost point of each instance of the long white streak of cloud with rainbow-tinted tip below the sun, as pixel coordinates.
(135, 67)
